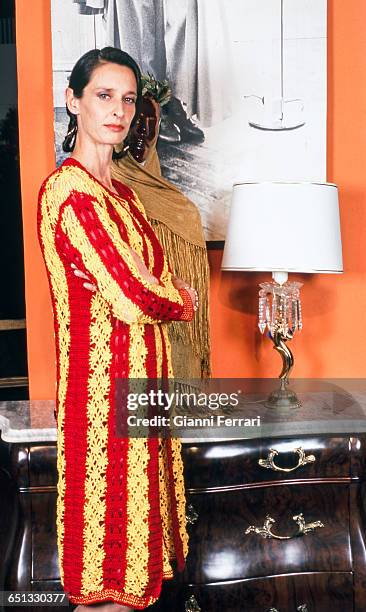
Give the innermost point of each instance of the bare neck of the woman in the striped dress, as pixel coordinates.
(97, 160)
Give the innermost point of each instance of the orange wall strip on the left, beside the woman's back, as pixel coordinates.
(35, 108)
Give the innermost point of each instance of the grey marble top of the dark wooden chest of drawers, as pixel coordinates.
(334, 410)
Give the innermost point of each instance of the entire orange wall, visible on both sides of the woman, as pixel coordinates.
(333, 340)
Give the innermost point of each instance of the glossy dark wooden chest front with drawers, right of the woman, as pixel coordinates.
(276, 531)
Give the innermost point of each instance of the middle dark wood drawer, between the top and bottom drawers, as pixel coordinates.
(219, 548)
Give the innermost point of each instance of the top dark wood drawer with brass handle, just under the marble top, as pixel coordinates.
(234, 463)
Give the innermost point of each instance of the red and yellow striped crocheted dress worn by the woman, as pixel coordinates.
(121, 503)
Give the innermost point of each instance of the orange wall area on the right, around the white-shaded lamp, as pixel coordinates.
(333, 341)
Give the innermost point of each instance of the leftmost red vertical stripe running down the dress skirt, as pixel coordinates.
(75, 427)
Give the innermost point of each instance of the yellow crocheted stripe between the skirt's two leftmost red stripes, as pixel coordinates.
(97, 443)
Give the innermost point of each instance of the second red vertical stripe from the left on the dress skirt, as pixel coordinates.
(115, 541)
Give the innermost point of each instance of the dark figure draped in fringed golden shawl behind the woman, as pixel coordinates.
(177, 223)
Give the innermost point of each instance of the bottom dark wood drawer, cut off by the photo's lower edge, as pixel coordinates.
(303, 593)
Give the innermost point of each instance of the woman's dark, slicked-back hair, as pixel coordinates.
(80, 77)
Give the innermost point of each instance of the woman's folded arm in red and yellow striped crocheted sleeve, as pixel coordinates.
(109, 265)
